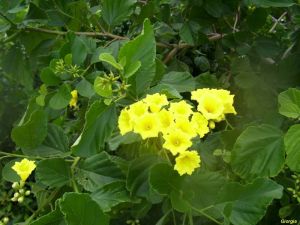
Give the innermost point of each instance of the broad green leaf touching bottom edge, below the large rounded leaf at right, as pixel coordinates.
(246, 205)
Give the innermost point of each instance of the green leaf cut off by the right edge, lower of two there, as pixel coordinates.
(292, 144)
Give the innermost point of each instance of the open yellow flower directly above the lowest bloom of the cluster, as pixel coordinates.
(176, 141)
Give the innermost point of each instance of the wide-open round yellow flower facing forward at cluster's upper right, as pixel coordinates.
(211, 106)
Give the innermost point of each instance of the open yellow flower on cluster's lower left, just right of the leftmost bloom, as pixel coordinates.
(147, 125)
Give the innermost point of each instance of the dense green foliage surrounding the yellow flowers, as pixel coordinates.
(116, 52)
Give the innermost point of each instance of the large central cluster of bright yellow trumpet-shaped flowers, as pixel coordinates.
(177, 122)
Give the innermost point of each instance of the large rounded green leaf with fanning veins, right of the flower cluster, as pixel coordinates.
(258, 152)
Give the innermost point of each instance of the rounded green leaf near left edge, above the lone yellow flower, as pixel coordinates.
(31, 133)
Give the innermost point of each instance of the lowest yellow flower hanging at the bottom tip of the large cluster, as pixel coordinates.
(187, 162)
